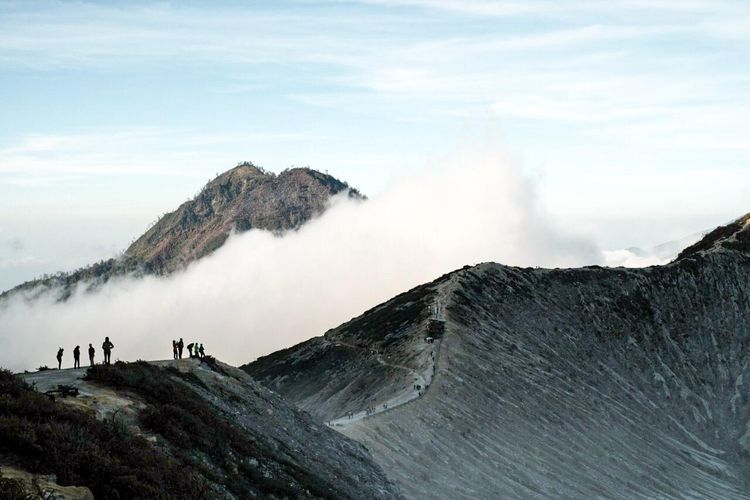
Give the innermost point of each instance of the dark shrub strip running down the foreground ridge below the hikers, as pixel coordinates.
(203, 438)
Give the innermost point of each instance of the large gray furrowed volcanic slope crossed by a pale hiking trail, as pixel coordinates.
(579, 383)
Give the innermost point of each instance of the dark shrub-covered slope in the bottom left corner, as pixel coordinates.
(50, 438)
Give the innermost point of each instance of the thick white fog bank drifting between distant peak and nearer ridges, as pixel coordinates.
(260, 293)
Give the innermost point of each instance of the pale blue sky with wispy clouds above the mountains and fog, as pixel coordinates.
(631, 117)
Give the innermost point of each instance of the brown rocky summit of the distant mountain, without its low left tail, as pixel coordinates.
(240, 199)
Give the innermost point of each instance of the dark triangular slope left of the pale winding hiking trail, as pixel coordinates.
(370, 360)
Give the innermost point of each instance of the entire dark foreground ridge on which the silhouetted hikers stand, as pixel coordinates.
(229, 437)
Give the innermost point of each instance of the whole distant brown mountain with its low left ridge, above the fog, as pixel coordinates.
(242, 198)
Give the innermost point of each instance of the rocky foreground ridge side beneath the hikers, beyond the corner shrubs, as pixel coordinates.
(285, 453)
